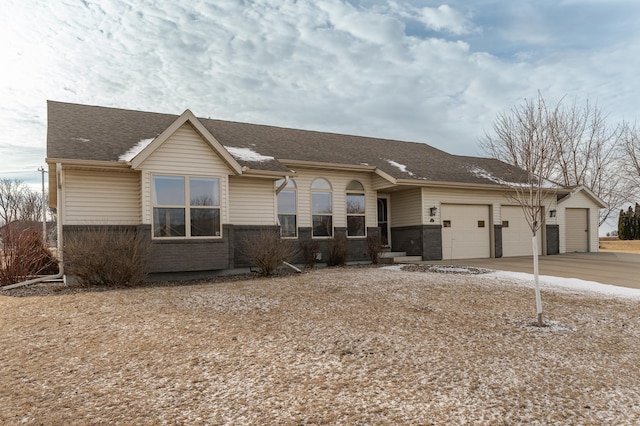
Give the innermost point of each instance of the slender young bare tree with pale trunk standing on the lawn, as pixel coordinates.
(525, 138)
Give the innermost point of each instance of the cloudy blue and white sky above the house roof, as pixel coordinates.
(428, 71)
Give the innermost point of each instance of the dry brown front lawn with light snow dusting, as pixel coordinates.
(334, 346)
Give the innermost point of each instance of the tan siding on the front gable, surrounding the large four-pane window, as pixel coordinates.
(185, 153)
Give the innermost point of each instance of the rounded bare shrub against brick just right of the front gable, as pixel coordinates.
(267, 250)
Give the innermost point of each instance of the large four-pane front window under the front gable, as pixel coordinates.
(186, 206)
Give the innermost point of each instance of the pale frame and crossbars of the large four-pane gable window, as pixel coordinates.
(186, 207)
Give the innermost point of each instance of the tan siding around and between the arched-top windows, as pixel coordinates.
(339, 181)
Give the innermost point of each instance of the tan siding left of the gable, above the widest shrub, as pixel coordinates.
(101, 197)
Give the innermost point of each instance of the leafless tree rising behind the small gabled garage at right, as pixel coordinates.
(588, 153)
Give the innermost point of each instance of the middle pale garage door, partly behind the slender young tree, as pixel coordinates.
(516, 233)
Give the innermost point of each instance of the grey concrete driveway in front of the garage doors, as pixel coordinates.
(621, 269)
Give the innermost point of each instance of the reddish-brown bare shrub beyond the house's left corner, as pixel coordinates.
(24, 256)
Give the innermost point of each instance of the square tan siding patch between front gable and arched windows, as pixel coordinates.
(252, 201)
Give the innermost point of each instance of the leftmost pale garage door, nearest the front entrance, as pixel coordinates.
(465, 231)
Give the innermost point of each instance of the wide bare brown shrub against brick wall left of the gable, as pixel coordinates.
(112, 257)
